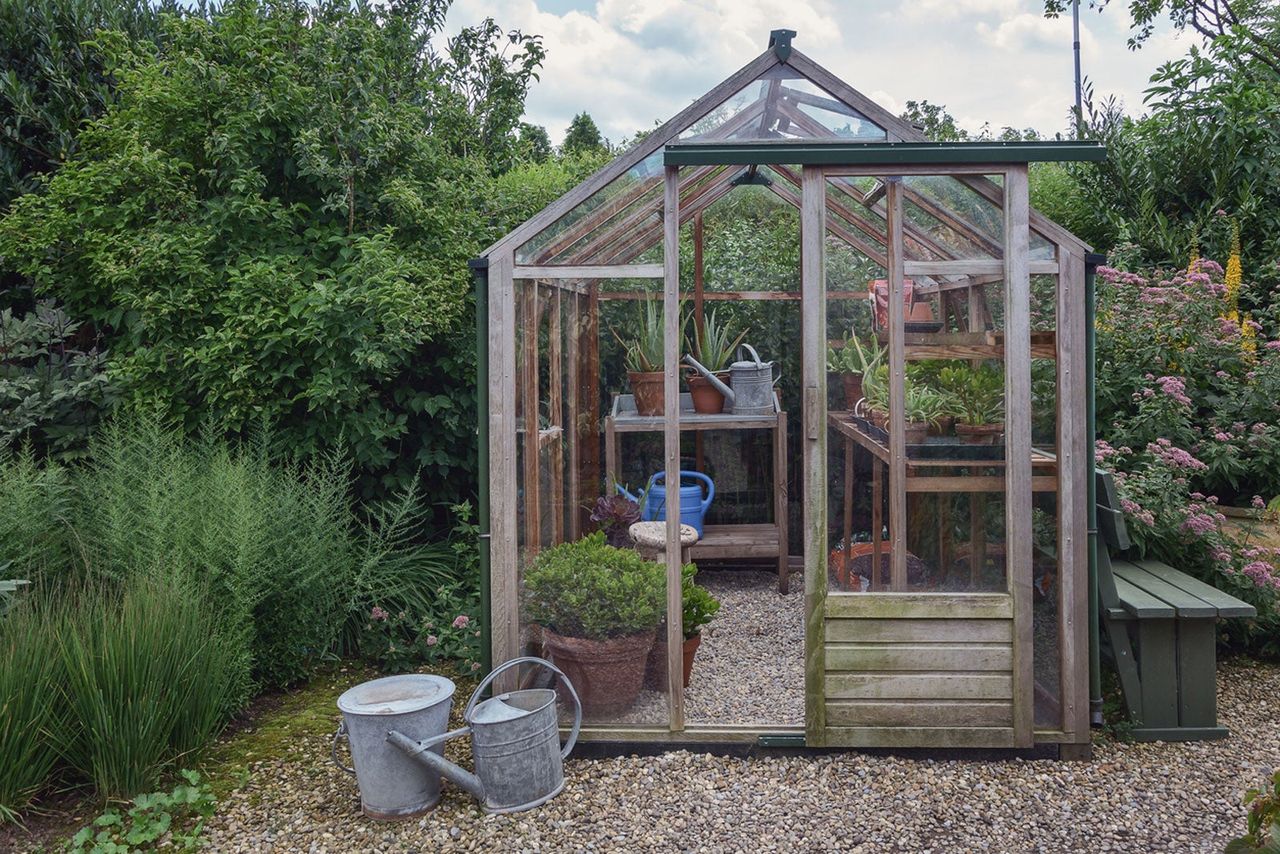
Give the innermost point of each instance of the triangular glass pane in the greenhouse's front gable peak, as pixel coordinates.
(784, 106)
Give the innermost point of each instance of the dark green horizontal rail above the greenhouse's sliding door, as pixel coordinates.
(853, 154)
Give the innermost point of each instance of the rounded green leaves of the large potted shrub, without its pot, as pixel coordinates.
(591, 590)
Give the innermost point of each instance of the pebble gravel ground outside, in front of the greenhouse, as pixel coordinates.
(1131, 798)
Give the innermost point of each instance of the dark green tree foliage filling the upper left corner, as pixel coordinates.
(54, 76)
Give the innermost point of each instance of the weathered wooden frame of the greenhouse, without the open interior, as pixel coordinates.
(865, 185)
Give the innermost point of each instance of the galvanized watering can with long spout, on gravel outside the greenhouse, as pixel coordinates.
(515, 743)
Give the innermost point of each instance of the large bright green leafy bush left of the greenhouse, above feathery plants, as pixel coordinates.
(275, 217)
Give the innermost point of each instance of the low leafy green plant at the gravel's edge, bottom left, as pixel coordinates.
(161, 819)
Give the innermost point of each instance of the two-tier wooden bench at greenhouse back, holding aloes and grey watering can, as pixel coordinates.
(720, 542)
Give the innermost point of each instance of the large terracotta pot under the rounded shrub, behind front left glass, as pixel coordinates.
(607, 674)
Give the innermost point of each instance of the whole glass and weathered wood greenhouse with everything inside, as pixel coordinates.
(862, 358)
